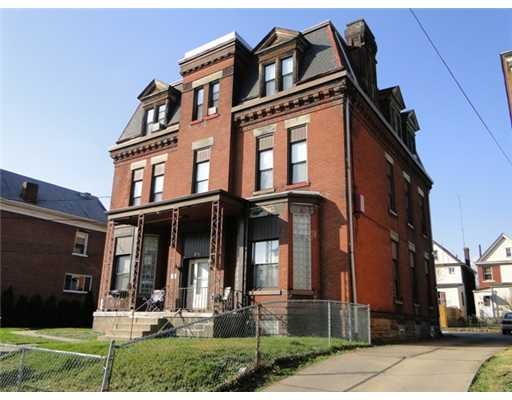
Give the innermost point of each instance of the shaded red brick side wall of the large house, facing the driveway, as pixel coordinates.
(373, 242)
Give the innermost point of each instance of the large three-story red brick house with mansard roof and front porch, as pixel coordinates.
(272, 173)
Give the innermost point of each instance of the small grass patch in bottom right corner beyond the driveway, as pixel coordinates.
(495, 375)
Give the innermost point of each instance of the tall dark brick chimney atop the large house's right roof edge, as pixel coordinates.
(362, 54)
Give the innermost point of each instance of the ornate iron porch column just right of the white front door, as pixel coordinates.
(216, 285)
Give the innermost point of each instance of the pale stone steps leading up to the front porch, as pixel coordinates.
(124, 328)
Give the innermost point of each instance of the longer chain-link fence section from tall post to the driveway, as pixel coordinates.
(214, 353)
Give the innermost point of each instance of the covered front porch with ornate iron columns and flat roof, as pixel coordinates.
(173, 256)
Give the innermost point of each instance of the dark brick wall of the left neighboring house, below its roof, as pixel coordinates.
(37, 253)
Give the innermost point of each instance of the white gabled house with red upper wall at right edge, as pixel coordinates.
(494, 295)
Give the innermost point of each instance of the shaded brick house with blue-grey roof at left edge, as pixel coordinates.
(52, 242)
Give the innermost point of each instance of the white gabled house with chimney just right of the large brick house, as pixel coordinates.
(455, 283)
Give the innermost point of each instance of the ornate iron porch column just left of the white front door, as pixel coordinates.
(173, 278)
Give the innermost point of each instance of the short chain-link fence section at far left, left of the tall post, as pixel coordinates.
(32, 369)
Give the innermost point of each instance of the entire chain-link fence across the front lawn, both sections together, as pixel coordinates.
(202, 354)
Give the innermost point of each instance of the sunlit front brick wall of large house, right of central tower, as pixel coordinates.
(326, 174)
